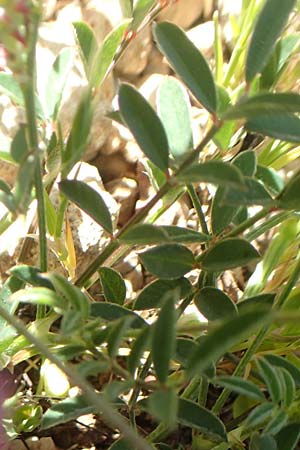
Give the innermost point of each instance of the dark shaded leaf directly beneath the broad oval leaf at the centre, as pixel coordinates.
(152, 295)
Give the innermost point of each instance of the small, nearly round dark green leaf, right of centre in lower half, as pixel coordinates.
(214, 304)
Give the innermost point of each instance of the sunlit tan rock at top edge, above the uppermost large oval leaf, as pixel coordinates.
(185, 13)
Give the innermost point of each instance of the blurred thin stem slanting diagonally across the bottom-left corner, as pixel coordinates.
(109, 414)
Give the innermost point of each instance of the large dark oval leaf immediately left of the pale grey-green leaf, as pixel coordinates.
(145, 125)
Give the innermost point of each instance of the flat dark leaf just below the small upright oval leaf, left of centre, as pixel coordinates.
(112, 311)
